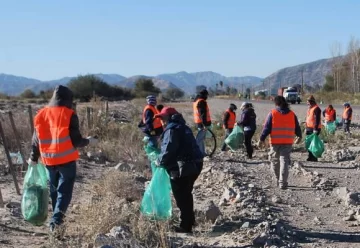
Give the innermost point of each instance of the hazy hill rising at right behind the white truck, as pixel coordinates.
(314, 74)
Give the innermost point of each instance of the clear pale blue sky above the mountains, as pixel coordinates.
(51, 39)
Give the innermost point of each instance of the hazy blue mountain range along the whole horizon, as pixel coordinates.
(313, 74)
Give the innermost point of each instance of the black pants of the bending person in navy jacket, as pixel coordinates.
(182, 190)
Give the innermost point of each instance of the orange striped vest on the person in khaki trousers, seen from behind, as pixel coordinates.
(283, 128)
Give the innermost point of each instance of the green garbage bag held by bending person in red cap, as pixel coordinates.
(156, 202)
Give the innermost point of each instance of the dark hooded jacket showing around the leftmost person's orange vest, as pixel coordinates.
(62, 97)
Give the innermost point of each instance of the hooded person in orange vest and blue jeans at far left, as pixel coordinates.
(54, 141)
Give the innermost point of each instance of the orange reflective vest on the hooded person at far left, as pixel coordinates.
(52, 128)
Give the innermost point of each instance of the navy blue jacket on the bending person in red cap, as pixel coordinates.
(179, 150)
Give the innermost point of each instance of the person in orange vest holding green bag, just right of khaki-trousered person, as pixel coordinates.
(313, 122)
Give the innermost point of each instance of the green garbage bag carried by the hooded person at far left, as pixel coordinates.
(35, 198)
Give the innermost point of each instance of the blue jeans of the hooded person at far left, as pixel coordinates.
(62, 179)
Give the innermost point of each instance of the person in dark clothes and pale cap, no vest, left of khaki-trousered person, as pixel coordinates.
(248, 123)
